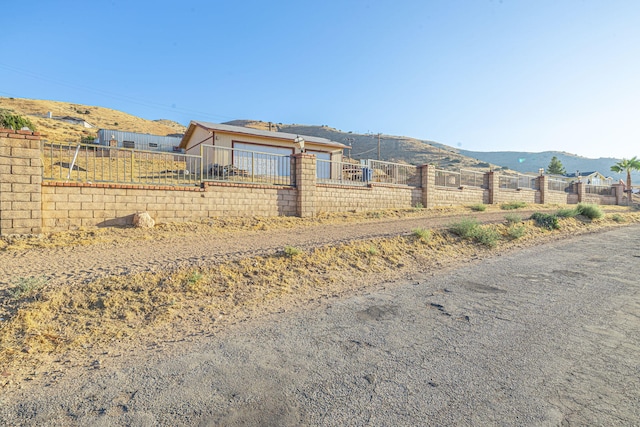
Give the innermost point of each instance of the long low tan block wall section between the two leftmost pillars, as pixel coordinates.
(67, 206)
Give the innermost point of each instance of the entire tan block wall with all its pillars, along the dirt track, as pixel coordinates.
(29, 205)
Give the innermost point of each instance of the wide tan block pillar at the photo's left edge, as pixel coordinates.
(20, 182)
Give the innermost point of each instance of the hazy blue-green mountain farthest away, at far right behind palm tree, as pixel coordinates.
(523, 161)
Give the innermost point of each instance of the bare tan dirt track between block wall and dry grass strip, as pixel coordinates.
(70, 263)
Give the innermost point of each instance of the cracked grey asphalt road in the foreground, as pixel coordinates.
(548, 335)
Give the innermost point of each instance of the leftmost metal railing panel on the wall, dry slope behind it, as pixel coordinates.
(91, 163)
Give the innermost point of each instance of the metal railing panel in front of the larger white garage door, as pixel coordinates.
(231, 164)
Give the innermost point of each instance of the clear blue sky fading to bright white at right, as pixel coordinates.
(485, 75)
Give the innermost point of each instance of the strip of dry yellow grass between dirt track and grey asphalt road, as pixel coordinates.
(46, 323)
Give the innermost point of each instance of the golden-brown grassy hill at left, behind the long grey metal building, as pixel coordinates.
(100, 117)
